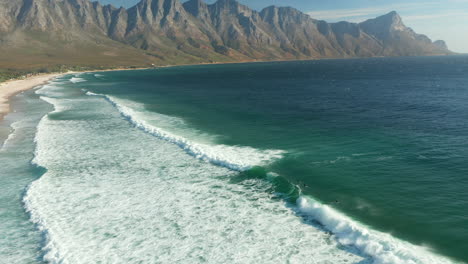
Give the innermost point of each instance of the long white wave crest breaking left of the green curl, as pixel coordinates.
(232, 157)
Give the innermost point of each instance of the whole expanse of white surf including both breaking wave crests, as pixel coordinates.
(120, 195)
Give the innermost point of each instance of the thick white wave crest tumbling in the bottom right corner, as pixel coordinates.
(382, 247)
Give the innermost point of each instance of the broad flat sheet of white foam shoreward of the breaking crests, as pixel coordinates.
(209, 220)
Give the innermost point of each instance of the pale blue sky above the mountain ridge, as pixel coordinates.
(438, 19)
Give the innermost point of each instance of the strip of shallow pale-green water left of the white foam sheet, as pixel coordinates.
(18, 238)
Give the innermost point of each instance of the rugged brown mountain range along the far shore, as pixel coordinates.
(45, 33)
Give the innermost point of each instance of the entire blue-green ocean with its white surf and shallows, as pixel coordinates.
(329, 161)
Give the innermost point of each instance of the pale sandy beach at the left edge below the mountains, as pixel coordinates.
(11, 88)
